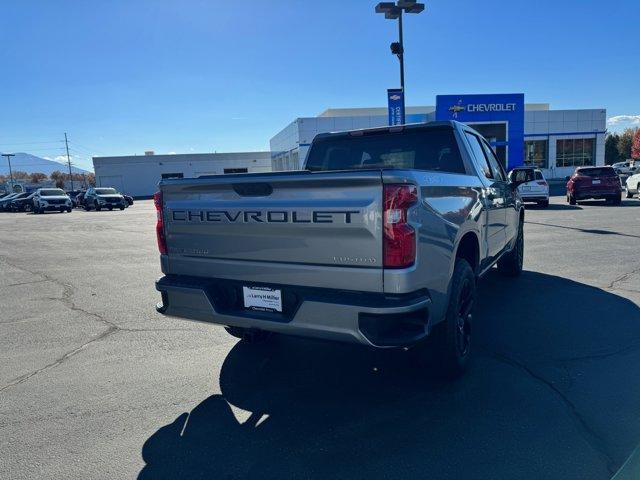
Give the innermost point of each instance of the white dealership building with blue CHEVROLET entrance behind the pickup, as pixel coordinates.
(557, 141)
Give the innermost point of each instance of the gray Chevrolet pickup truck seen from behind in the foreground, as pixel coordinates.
(378, 241)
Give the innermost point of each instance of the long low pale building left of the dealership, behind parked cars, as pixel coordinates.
(138, 175)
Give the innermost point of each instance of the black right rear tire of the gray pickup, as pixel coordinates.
(447, 350)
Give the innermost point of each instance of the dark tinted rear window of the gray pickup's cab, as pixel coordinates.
(421, 149)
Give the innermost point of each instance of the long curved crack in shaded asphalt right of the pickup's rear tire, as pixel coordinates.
(594, 440)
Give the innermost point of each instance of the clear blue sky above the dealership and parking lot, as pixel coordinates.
(126, 76)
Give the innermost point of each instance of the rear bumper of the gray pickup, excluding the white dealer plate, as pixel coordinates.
(370, 319)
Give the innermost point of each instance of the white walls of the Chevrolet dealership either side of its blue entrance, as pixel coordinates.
(289, 147)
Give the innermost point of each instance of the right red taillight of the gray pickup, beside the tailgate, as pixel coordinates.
(399, 250)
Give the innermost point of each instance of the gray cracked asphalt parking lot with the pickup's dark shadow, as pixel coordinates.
(95, 384)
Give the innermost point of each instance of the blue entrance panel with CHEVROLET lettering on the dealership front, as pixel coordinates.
(499, 117)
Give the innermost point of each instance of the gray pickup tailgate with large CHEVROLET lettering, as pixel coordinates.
(303, 228)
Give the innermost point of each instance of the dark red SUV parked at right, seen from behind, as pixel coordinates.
(594, 182)
